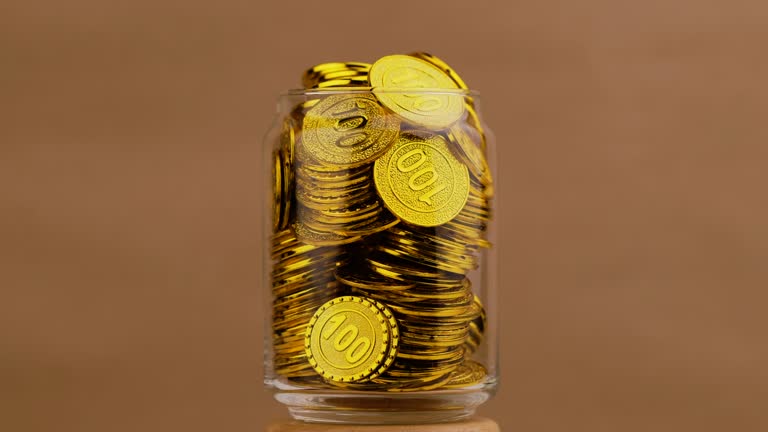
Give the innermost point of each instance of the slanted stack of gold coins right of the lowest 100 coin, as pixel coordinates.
(433, 308)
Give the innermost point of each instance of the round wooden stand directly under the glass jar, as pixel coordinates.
(476, 424)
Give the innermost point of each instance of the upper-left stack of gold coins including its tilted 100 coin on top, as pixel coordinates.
(342, 136)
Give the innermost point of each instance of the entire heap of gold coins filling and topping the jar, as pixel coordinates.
(381, 203)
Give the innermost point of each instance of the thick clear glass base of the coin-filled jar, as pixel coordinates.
(382, 408)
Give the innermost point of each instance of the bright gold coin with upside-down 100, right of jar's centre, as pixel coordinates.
(420, 180)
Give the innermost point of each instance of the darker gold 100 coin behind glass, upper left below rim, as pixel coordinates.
(348, 130)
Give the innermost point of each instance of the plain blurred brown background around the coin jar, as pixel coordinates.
(634, 147)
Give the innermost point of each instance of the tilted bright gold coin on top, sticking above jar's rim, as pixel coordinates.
(392, 76)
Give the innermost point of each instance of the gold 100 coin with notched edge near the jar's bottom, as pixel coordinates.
(350, 339)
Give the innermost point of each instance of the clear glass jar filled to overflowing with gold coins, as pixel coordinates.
(380, 266)
